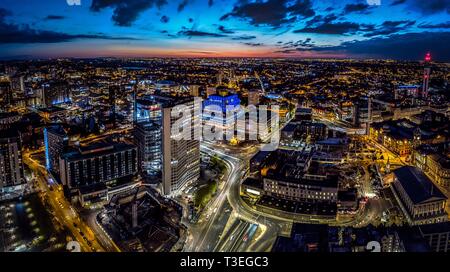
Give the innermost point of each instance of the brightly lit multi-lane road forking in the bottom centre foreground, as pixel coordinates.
(227, 207)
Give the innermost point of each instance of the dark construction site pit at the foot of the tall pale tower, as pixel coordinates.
(141, 221)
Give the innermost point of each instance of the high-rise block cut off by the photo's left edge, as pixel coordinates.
(11, 167)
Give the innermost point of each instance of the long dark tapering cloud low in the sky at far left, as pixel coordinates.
(12, 33)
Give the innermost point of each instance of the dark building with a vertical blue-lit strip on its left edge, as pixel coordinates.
(55, 142)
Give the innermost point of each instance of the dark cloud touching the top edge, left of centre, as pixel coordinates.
(125, 12)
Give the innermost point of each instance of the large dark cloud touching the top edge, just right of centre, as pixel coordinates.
(274, 13)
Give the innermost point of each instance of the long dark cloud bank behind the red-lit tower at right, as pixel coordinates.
(410, 46)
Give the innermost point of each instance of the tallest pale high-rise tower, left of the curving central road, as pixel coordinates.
(181, 157)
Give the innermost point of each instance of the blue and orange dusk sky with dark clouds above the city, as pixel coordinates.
(399, 29)
